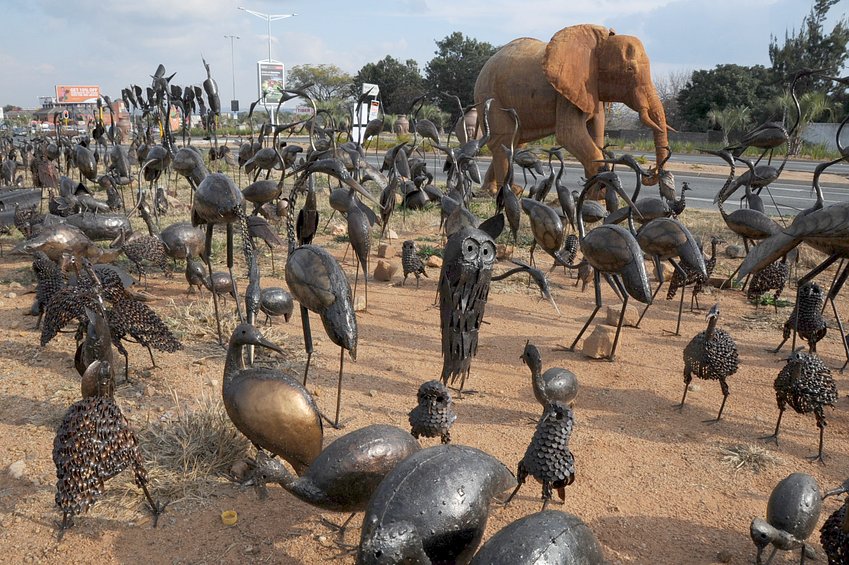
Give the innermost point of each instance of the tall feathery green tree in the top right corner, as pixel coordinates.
(811, 47)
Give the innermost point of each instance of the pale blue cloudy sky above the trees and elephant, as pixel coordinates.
(115, 43)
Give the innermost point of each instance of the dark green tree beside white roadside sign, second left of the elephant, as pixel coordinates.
(399, 82)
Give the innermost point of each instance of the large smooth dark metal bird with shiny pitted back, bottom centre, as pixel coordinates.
(432, 507)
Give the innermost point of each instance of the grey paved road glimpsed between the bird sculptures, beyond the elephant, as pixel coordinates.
(790, 196)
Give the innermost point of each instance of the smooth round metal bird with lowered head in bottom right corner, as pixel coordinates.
(792, 513)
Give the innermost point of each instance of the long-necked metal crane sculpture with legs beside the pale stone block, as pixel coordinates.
(613, 251)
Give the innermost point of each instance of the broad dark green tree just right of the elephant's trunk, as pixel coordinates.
(726, 86)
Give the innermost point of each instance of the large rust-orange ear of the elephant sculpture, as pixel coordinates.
(571, 64)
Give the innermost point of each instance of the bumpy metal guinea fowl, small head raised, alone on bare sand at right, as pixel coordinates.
(711, 355)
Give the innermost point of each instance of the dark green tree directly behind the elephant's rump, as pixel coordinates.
(455, 68)
